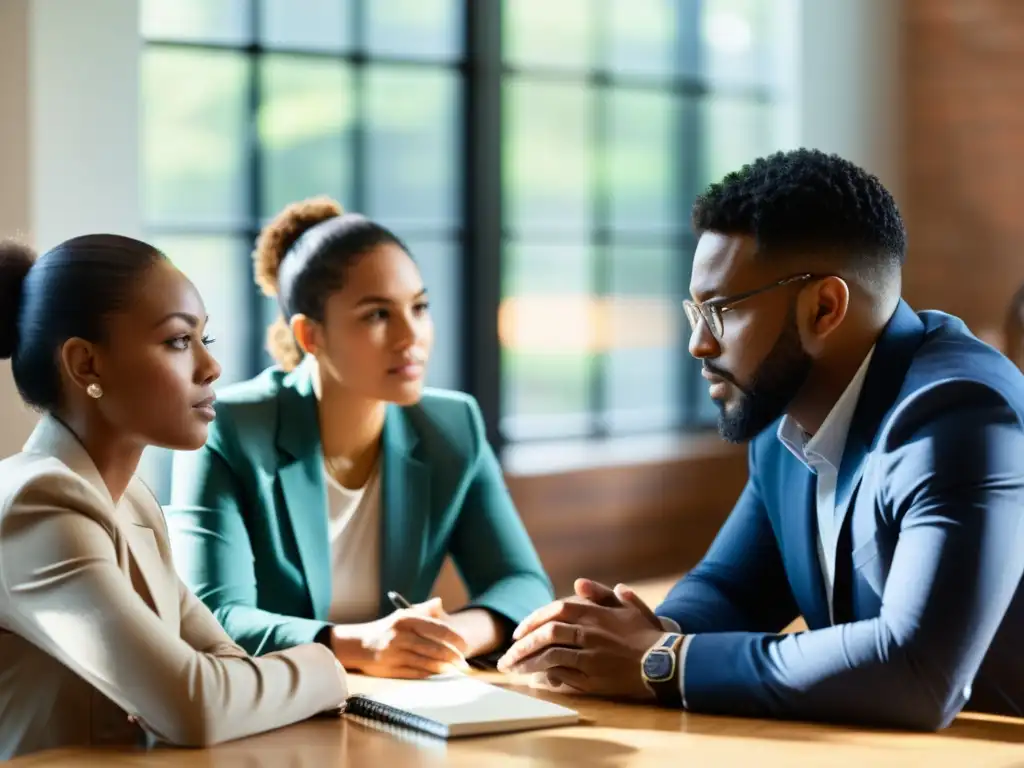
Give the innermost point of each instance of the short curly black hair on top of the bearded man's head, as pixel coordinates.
(807, 202)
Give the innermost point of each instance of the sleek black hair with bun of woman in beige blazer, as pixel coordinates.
(66, 293)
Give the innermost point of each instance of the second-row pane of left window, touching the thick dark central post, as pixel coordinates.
(413, 157)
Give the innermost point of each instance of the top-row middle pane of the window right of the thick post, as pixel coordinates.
(643, 37)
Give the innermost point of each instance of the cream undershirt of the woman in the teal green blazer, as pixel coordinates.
(354, 529)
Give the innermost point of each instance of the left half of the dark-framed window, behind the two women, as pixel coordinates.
(250, 106)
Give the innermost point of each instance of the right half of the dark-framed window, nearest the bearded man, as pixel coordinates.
(617, 114)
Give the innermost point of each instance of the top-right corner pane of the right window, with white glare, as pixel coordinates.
(737, 38)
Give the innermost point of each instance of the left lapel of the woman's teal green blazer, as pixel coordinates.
(302, 476)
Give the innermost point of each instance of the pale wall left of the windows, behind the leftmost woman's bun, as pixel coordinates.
(69, 136)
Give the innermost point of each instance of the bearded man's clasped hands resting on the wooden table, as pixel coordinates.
(593, 643)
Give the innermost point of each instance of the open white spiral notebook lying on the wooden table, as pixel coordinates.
(451, 706)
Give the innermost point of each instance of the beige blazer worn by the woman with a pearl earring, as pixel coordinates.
(97, 627)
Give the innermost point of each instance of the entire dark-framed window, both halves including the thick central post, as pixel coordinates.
(604, 119)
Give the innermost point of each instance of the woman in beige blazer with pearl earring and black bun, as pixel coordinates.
(101, 643)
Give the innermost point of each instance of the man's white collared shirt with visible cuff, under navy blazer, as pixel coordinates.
(823, 454)
